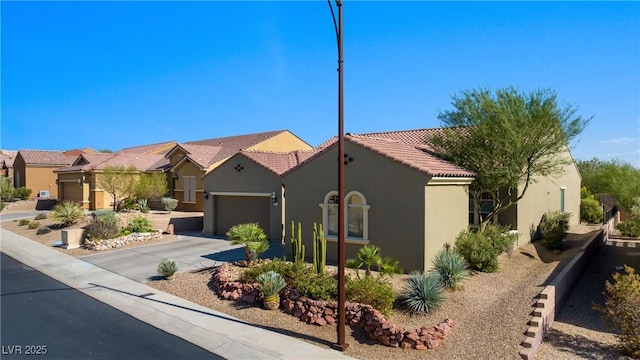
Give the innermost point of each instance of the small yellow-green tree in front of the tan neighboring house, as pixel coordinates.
(118, 181)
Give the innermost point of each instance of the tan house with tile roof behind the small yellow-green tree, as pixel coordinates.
(77, 182)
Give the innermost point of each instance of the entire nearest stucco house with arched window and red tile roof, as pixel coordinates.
(399, 196)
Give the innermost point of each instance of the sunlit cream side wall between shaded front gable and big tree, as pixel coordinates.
(447, 209)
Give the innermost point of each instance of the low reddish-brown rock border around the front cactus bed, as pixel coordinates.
(325, 312)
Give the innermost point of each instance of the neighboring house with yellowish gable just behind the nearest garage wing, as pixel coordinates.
(190, 161)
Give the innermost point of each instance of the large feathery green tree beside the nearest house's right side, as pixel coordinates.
(508, 139)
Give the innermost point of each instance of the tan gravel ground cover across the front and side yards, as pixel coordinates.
(491, 311)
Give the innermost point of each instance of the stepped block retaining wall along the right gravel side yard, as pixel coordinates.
(552, 297)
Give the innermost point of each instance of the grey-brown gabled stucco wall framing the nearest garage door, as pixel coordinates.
(252, 179)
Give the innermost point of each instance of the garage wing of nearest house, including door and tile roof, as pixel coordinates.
(247, 188)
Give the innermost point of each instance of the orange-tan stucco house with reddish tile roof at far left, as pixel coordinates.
(34, 169)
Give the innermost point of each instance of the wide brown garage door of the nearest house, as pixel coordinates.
(232, 210)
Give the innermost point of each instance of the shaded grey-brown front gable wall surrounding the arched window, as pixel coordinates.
(395, 193)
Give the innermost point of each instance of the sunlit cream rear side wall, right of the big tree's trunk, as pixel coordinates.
(544, 196)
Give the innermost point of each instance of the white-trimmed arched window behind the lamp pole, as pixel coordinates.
(356, 216)
